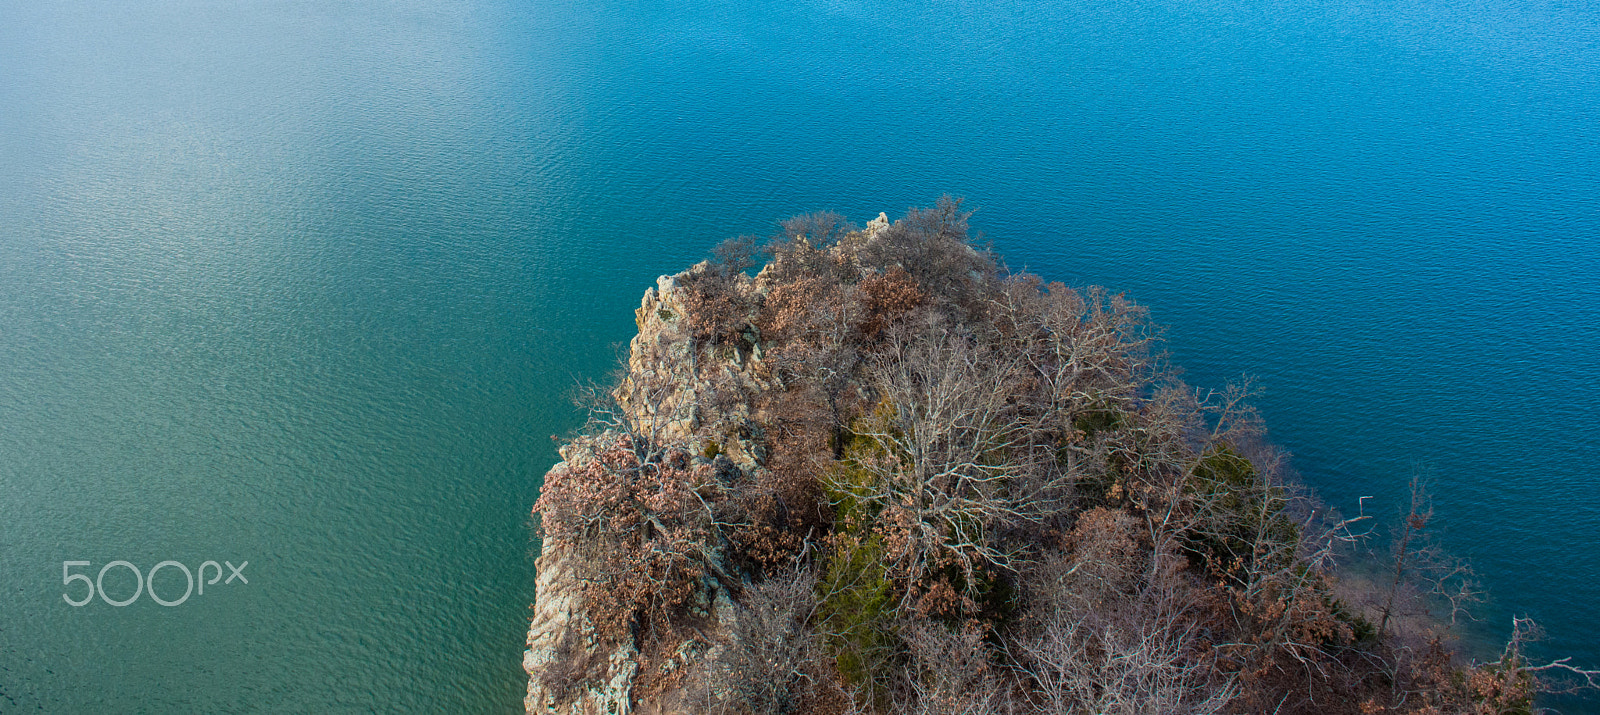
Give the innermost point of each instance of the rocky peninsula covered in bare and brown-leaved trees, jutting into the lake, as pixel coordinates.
(890, 476)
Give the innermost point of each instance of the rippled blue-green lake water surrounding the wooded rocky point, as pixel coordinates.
(306, 284)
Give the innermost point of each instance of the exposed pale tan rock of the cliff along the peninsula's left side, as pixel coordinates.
(682, 391)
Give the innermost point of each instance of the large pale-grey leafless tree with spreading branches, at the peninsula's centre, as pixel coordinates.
(948, 458)
